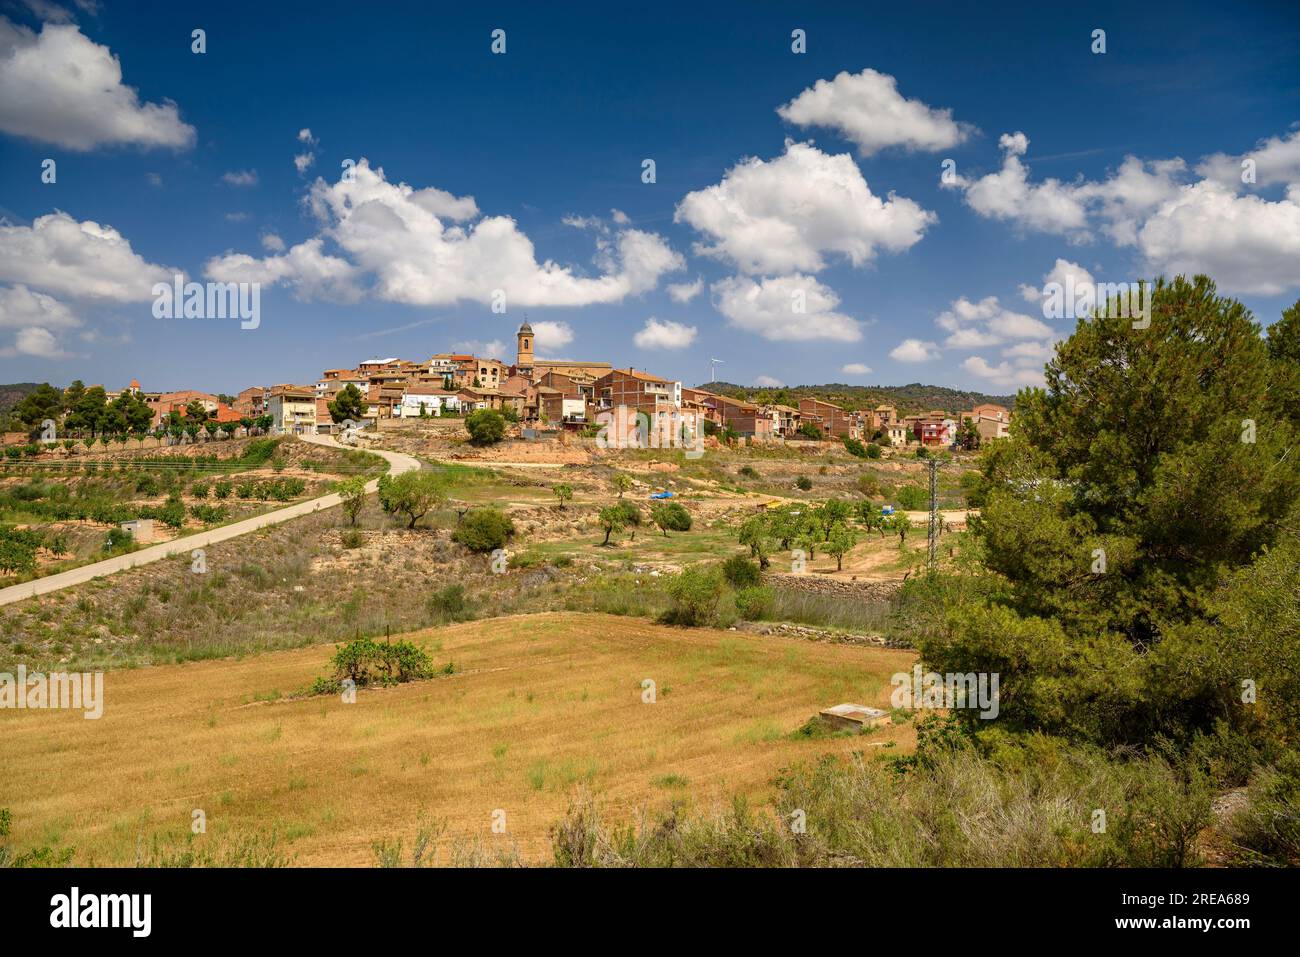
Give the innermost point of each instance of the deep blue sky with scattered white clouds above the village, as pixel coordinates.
(840, 200)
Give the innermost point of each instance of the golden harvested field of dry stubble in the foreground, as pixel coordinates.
(538, 707)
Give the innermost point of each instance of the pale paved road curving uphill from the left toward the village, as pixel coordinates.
(398, 464)
